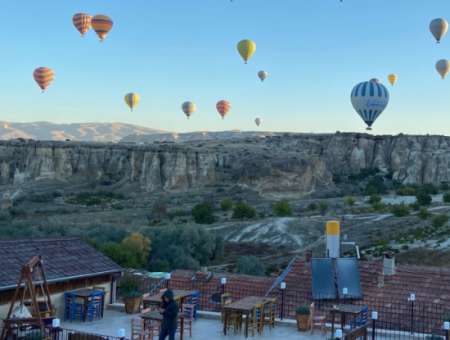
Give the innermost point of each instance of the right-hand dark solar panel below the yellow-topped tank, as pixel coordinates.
(348, 277)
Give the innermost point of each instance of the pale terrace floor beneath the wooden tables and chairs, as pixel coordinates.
(204, 328)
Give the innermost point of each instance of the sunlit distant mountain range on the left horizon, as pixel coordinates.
(100, 132)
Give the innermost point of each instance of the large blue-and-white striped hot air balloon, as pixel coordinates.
(369, 99)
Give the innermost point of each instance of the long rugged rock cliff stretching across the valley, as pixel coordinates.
(276, 165)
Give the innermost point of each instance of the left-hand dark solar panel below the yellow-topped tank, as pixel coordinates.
(322, 277)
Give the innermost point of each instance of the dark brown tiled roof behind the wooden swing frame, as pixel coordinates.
(64, 258)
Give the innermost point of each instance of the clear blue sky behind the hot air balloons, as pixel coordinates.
(171, 51)
